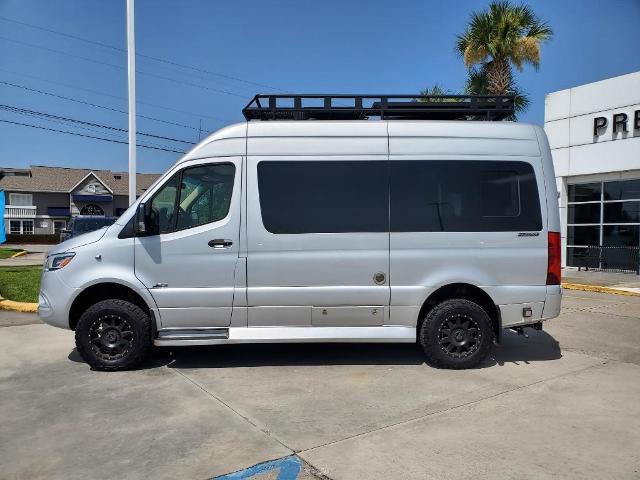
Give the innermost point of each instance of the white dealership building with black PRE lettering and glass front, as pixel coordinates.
(594, 134)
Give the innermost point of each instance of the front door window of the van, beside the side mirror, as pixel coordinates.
(194, 196)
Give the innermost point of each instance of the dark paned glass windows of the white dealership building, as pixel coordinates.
(603, 214)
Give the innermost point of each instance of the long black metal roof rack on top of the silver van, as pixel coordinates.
(385, 107)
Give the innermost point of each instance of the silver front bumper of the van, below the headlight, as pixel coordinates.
(54, 300)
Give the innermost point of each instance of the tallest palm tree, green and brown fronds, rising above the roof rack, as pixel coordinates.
(500, 38)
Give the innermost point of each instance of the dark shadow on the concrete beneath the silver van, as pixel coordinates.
(540, 346)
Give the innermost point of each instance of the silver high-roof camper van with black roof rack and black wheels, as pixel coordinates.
(318, 224)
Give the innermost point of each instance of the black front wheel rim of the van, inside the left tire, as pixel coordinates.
(111, 337)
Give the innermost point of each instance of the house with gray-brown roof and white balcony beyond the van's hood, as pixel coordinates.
(41, 200)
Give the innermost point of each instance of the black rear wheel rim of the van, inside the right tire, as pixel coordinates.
(459, 336)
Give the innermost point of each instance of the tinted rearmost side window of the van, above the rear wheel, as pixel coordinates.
(464, 196)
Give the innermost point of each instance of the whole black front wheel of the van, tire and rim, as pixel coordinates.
(113, 335)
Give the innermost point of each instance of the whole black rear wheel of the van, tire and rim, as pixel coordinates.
(456, 334)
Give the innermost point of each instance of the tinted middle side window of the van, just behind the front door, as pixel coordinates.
(324, 196)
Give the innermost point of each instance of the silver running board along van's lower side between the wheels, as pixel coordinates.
(305, 334)
